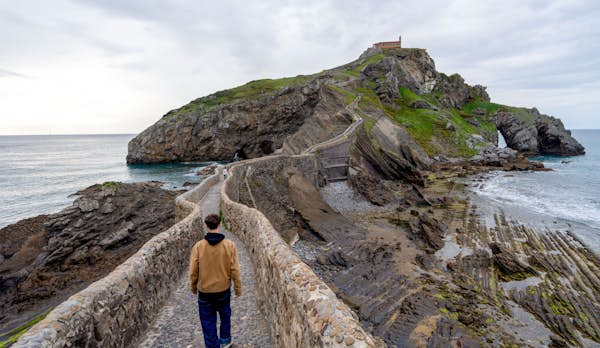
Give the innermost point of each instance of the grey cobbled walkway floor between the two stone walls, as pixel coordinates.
(178, 323)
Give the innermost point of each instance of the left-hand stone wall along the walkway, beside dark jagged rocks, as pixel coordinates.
(116, 309)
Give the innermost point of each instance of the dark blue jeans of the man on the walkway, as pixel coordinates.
(208, 306)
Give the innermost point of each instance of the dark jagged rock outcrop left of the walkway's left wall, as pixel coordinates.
(48, 258)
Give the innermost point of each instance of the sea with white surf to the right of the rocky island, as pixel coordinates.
(567, 198)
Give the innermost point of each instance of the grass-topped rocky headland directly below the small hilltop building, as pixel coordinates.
(443, 115)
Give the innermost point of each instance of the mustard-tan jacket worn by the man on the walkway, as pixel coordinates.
(213, 267)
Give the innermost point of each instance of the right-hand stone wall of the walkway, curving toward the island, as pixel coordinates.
(302, 311)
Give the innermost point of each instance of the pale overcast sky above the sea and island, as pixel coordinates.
(117, 66)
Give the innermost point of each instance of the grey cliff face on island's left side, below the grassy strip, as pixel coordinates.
(250, 127)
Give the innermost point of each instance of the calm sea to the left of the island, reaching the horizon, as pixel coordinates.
(39, 173)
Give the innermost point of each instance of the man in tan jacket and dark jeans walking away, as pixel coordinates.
(213, 265)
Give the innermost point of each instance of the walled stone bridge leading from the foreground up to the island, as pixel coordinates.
(145, 302)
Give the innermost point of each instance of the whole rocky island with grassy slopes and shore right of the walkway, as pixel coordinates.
(386, 220)
